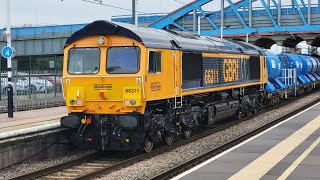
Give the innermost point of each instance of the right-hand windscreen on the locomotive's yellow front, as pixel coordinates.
(123, 60)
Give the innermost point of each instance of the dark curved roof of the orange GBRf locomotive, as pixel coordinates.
(155, 38)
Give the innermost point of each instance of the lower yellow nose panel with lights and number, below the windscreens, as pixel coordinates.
(104, 95)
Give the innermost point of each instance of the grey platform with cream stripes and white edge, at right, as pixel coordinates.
(289, 150)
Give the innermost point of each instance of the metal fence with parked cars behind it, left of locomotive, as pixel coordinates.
(33, 88)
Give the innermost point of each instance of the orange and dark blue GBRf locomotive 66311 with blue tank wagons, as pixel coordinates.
(128, 88)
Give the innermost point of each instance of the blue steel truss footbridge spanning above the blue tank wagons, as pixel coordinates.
(262, 22)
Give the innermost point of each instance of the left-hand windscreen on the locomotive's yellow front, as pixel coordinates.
(84, 61)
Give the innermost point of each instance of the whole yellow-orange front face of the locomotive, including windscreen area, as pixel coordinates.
(102, 92)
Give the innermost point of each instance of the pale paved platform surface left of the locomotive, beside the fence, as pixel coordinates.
(33, 118)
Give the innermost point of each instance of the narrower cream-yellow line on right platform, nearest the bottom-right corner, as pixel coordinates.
(296, 163)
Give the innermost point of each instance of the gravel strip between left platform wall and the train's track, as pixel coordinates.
(27, 167)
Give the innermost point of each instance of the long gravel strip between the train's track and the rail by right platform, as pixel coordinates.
(149, 168)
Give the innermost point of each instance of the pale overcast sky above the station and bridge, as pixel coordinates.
(43, 12)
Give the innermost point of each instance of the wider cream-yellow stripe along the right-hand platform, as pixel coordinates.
(260, 166)
